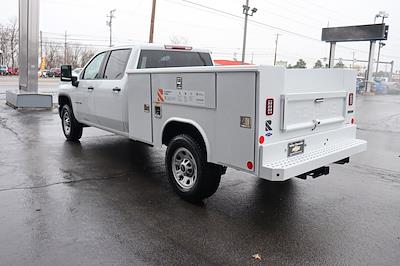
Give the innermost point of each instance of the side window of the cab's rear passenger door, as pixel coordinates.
(116, 64)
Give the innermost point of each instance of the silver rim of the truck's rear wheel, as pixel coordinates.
(184, 168)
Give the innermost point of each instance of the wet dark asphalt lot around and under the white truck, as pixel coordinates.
(106, 201)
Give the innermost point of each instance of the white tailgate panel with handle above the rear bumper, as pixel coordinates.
(312, 111)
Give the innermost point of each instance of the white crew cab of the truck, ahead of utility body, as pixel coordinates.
(103, 81)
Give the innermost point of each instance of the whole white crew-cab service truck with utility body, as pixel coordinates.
(271, 122)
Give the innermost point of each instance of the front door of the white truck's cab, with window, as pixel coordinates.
(84, 98)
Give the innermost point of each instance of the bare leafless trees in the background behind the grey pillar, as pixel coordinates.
(54, 52)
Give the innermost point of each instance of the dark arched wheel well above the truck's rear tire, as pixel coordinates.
(175, 128)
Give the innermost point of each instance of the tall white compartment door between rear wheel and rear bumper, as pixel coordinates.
(235, 103)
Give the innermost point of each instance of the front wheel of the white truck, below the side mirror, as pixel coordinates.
(72, 129)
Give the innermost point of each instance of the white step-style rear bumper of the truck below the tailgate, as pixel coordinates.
(325, 148)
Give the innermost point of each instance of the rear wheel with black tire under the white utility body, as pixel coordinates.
(207, 178)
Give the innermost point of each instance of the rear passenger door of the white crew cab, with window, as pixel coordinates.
(110, 96)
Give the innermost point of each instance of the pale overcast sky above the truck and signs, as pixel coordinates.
(86, 20)
